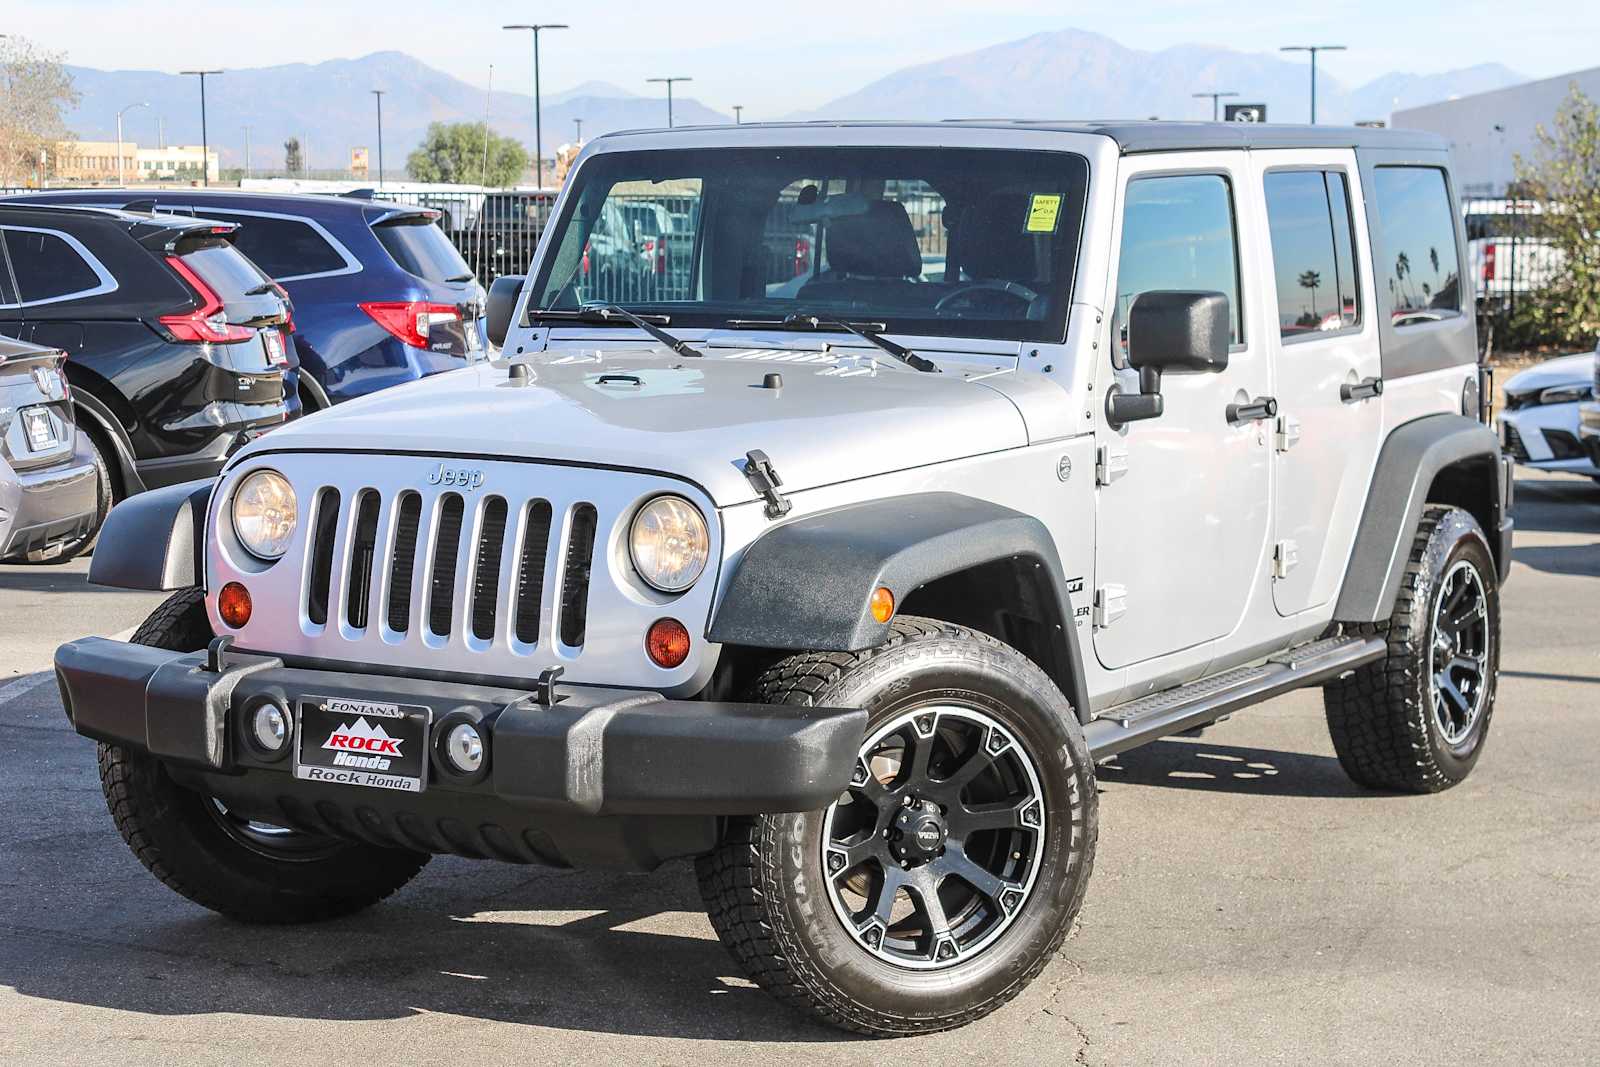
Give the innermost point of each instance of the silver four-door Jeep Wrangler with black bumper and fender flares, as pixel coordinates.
(841, 497)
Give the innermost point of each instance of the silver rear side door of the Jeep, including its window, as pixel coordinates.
(1326, 353)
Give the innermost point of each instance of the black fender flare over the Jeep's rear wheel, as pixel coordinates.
(1409, 465)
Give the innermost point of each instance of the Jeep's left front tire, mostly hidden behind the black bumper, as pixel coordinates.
(182, 837)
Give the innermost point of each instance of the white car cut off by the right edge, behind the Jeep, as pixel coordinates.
(1540, 423)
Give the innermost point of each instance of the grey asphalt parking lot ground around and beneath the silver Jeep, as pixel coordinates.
(1249, 905)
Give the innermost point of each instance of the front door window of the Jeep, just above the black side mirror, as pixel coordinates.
(1178, 234)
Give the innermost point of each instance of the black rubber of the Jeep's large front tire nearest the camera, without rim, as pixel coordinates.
(766, 890)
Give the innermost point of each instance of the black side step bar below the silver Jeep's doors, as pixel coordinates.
(1201, 703)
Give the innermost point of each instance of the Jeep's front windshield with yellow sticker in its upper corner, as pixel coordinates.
(945, 242)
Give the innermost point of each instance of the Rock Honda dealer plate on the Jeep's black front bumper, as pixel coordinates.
(348, 741)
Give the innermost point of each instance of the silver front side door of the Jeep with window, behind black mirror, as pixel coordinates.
(1183, 505)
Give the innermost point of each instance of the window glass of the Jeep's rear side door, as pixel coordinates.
(1313, 252)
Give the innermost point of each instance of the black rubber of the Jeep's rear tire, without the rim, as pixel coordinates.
(1382, 717)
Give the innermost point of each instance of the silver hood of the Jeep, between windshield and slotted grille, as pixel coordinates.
(833, 420)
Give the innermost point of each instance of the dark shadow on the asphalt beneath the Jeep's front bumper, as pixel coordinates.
(566, 951)
